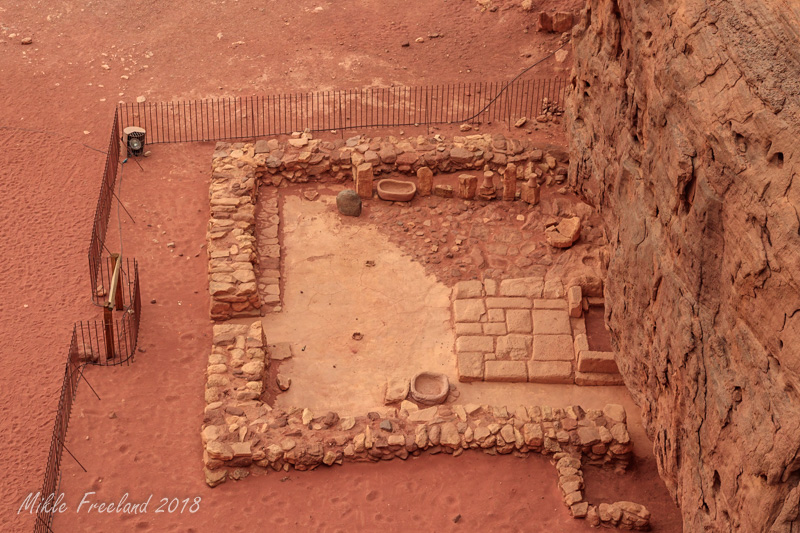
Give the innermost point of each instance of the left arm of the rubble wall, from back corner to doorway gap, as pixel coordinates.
(231, 239)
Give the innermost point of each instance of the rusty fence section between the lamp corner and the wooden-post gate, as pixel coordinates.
(102, 213)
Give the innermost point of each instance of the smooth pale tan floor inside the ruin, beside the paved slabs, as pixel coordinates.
(402, 312)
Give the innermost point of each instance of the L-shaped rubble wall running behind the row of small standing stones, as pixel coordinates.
(244, 280)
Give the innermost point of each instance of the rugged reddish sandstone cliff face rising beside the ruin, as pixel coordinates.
(684, 122)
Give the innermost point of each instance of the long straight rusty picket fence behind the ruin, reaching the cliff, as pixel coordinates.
(261, 116)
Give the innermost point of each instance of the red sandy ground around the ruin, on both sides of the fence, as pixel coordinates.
(48, 189)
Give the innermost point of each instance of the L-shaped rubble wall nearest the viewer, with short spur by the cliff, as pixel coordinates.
(242, 434)
